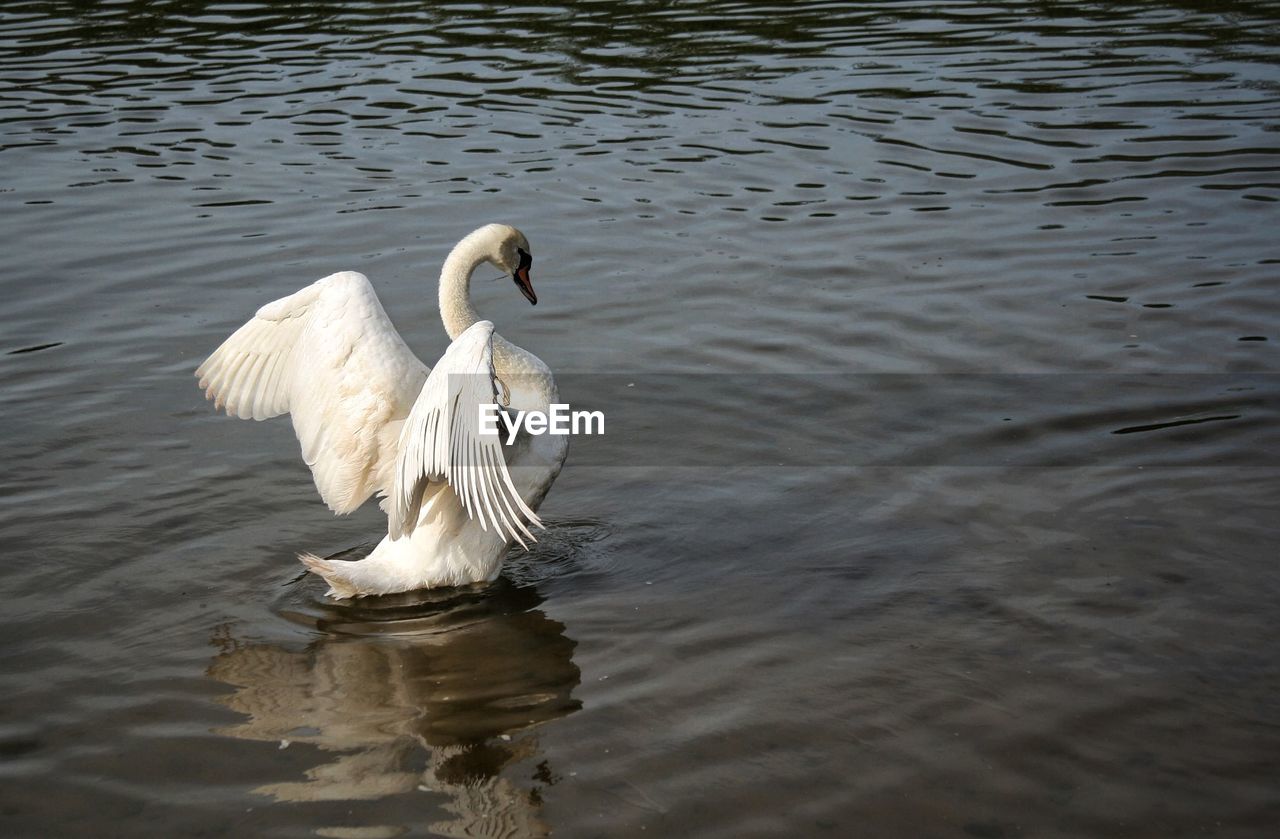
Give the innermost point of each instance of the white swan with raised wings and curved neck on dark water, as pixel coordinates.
(374, 419)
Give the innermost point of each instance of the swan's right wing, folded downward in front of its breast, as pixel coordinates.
(442, 441)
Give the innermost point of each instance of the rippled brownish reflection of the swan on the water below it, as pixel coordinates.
(461, 676)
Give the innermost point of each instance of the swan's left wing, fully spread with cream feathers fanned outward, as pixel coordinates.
(330, 357)
